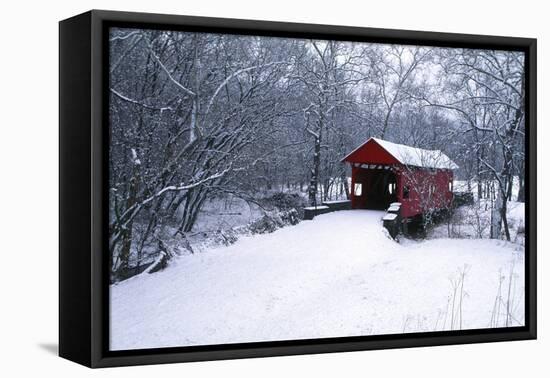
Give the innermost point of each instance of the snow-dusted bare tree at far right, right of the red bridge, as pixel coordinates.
(486, 90)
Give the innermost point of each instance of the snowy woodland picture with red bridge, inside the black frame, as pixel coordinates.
(271, 189)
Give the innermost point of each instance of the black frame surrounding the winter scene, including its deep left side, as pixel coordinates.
(83, 154)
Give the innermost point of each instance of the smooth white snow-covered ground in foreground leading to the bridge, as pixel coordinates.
(338, 275)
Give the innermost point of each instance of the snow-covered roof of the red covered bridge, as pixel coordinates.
(413, 156)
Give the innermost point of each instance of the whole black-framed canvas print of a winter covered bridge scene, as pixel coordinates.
(233, 188)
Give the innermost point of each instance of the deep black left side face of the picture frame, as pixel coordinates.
(74, 232)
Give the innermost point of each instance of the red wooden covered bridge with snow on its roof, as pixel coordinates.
(383, 172)
